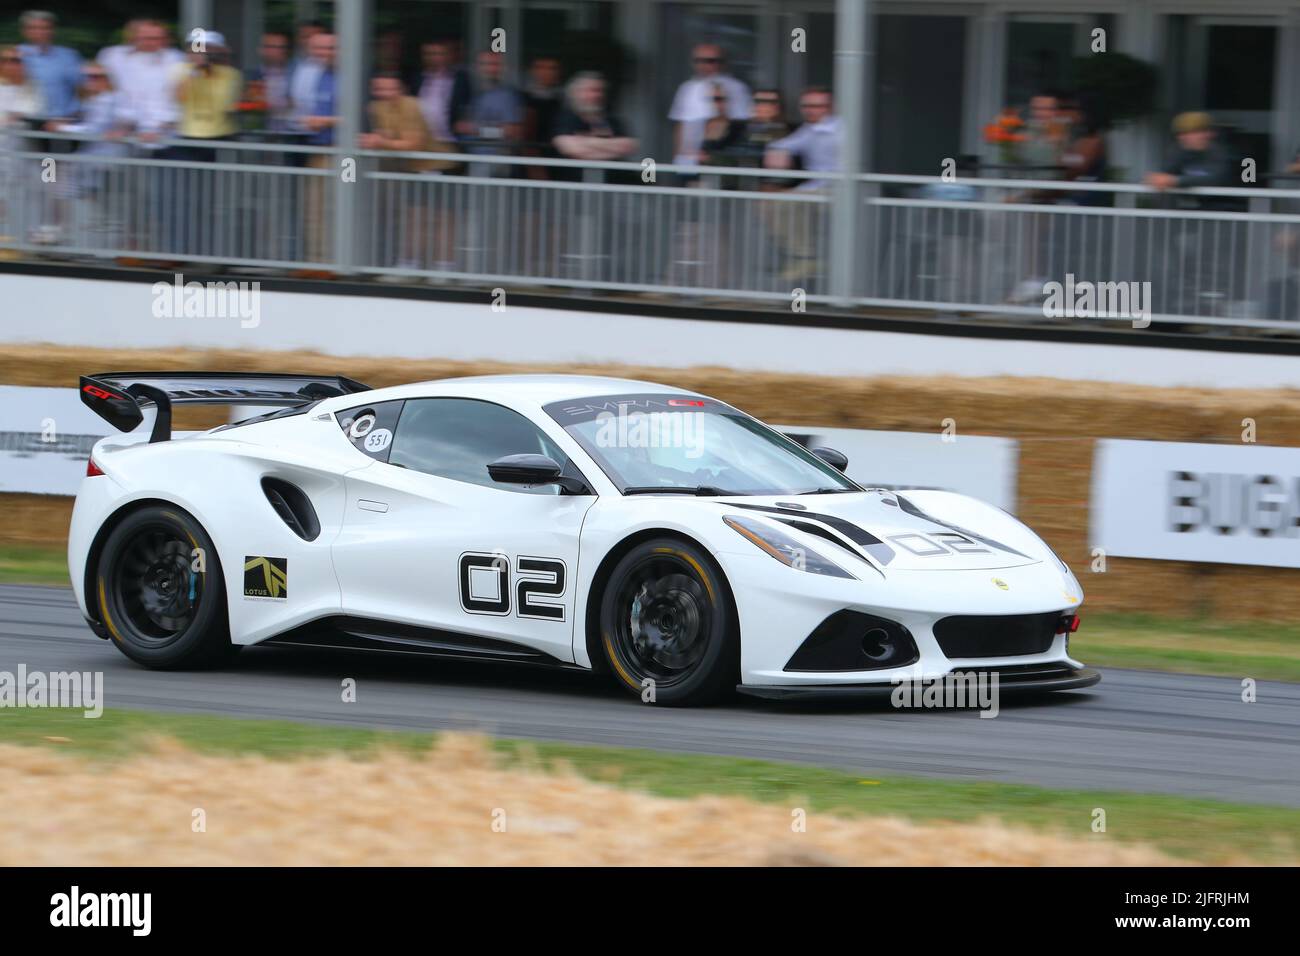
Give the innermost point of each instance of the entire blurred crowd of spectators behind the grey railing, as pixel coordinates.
(157, 98)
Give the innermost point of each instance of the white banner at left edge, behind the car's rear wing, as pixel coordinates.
(46, 436)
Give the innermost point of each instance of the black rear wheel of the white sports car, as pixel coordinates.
(159, 611)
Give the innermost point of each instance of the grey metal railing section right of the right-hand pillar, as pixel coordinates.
(1207, 257)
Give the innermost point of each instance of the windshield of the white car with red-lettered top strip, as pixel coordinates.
(649, 443)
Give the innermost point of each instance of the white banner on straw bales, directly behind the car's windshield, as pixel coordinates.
(977, 465)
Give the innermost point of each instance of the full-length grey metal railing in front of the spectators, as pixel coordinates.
(1228, 257)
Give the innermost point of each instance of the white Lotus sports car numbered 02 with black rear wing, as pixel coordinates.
(657, 535)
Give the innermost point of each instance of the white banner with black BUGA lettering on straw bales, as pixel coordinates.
(1181, 501)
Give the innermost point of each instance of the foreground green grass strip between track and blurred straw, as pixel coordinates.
(1191, 829)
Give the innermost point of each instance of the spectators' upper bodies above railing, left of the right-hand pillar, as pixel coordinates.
(151, 92)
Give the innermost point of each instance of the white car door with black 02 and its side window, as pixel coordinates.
(430, 539)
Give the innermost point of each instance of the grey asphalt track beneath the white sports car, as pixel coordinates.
(1136, 732)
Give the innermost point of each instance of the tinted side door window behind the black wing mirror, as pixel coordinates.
(458, 438)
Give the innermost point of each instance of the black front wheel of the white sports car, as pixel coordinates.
(668, 625)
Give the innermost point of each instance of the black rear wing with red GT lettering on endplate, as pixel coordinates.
(120, 397)
